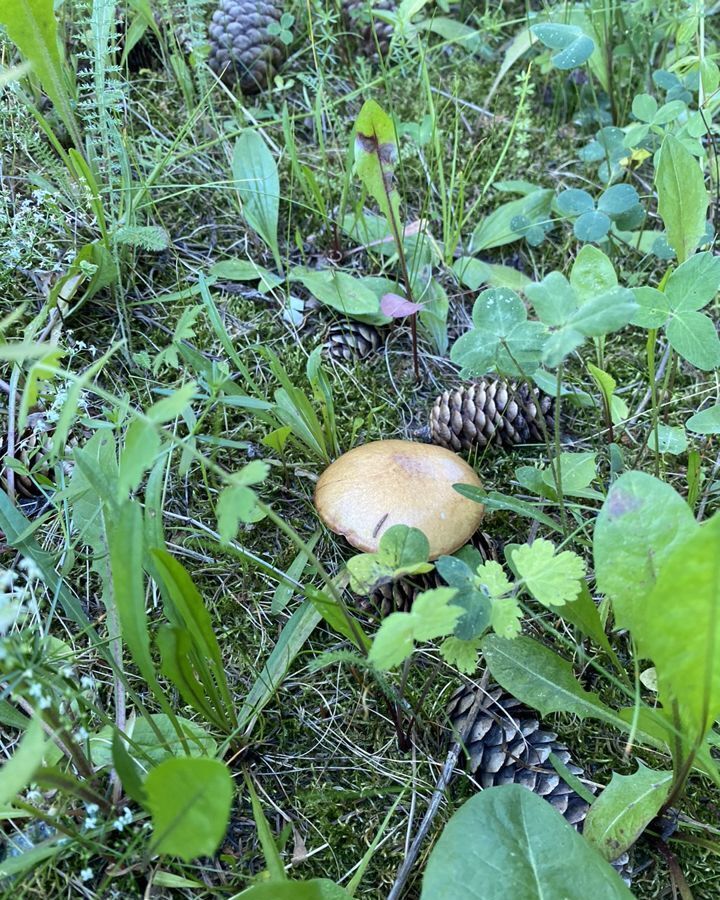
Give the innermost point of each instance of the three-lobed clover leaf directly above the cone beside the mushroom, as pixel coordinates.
(502, 339)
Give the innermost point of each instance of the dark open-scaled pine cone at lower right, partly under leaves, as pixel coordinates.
(506, 745)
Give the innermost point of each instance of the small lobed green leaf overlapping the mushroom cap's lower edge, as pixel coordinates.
(402, 551)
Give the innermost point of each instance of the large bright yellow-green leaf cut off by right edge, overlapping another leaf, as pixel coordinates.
(678, 628)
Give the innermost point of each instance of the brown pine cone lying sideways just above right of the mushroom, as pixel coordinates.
(485, 411)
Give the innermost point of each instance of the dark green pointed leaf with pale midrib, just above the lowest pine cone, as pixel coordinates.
(539, 677)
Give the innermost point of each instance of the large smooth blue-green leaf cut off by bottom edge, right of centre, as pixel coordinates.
(508, 842)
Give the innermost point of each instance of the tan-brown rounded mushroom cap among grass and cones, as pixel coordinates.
(385, 483)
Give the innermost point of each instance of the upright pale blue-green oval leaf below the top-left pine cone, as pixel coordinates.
(255, 178)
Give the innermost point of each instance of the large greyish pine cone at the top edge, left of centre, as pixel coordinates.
(242, 49)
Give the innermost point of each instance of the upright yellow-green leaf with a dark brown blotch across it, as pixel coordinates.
(375, 158)
